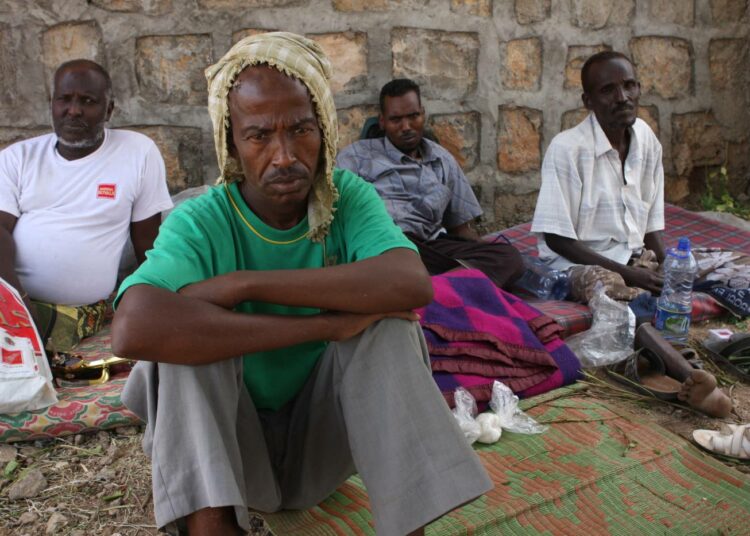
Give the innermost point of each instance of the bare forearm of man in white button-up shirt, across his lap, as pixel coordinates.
(579, 253)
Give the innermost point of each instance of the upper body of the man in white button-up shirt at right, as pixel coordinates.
(602, 196)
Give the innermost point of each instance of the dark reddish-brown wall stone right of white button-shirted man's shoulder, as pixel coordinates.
(696, 141)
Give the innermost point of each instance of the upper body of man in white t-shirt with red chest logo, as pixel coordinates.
(69, 199)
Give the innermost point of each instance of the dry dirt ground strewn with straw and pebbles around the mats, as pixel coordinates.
(100, 483)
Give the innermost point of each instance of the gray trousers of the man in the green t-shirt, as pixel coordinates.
(370, 406)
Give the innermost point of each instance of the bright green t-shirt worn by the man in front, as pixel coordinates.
(204, 237)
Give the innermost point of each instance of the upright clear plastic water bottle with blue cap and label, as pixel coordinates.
(675, 304)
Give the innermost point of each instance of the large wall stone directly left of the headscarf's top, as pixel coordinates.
(169, 68)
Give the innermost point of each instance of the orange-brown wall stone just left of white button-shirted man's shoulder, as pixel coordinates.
(519, 139)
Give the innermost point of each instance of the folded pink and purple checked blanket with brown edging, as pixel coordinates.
(477, 333)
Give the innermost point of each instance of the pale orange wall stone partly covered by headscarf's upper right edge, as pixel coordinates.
(348, 54)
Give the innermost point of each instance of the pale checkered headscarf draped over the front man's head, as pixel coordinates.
(300, 58)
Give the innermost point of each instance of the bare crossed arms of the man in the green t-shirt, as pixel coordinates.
(197, 325)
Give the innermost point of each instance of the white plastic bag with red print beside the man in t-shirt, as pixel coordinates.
(25, 376)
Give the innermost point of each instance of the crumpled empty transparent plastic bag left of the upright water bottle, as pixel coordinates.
(609, 340)
